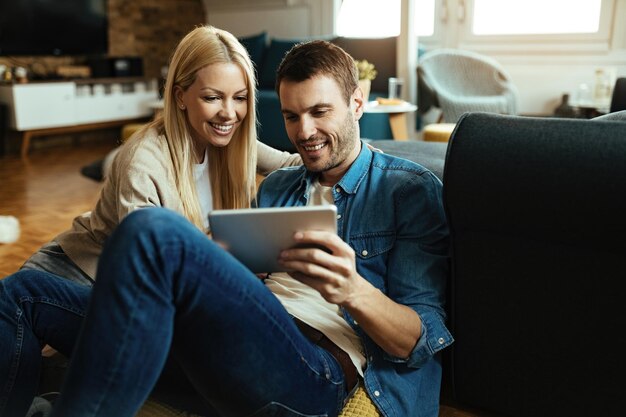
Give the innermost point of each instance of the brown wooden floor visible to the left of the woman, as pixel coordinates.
(45, 193)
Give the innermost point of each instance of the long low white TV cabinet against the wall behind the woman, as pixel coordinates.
(63, 104)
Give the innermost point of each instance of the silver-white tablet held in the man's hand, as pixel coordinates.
(256, 236)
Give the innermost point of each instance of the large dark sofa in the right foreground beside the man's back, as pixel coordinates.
(537, 216)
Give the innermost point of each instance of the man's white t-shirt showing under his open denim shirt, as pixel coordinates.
(308, 305)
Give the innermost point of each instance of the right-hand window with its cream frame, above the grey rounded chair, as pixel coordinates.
(518, 25)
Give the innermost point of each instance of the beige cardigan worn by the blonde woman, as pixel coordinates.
(141, 176)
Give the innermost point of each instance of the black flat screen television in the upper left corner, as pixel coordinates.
(53, 27)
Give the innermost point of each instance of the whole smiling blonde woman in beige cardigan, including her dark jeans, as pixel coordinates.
(200, 155)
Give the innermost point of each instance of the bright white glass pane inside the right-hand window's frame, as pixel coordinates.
(528, 17)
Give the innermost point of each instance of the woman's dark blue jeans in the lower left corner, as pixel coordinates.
(36, 308)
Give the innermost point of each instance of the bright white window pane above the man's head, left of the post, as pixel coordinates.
(369, 18)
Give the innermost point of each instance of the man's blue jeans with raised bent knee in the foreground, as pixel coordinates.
(165, 290)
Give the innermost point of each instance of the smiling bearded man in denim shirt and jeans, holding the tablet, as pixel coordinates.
(366, 313)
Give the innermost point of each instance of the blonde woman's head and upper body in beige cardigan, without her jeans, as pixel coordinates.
(201, 154)
